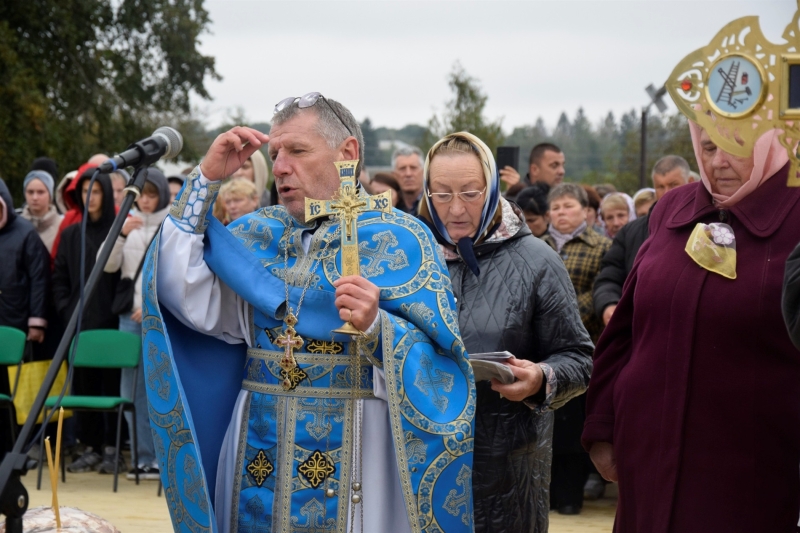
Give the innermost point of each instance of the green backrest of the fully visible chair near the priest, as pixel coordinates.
(108, 348)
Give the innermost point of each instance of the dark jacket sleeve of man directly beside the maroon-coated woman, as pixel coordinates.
(618, 262)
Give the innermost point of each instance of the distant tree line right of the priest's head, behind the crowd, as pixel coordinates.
(604, 152)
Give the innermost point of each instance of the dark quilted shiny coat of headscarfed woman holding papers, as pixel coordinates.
(522, 302)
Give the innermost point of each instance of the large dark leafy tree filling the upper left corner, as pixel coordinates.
(84, 76)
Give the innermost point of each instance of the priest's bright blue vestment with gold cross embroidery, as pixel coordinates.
(296, 444)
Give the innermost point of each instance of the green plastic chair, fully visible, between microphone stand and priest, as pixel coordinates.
(103, 348)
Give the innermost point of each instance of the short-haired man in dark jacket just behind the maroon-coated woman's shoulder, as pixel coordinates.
(669, 172)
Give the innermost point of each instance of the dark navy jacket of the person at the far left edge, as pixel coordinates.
(25, 271)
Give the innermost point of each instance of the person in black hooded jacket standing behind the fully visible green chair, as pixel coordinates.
(93, 429)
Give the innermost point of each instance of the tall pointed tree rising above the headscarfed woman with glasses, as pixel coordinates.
(465, 112)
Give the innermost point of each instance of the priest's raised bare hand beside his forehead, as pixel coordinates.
(230, 150)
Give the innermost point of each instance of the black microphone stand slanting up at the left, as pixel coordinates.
(13, 496)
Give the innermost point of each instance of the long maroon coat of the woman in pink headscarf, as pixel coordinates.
(696, 380)
